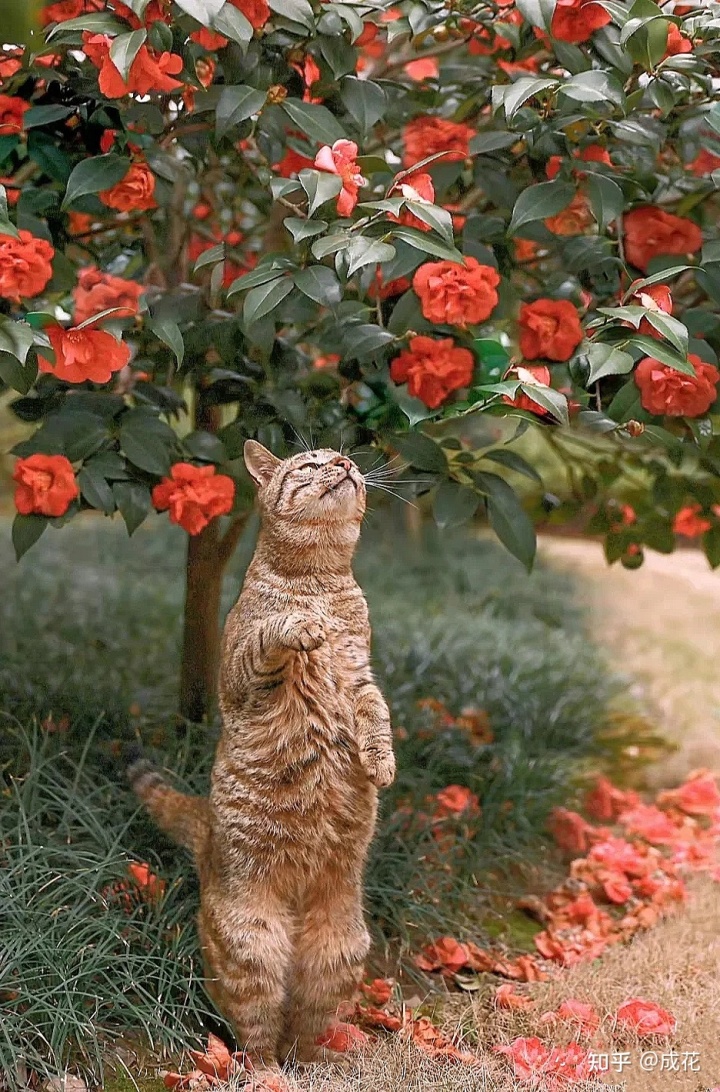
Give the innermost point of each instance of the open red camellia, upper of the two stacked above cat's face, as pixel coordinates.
(456, 294)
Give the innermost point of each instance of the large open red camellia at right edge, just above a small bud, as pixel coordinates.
(666, 391)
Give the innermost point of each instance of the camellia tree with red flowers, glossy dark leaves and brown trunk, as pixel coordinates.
(389, 224)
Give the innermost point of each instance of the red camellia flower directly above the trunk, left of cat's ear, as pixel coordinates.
(195, 496)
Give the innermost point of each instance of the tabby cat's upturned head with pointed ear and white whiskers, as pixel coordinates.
(310, 488)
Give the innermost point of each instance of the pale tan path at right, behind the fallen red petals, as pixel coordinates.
(660, 624)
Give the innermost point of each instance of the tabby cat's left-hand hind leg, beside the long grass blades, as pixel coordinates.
(247, 946)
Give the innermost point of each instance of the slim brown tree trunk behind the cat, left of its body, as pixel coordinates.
(202, 638)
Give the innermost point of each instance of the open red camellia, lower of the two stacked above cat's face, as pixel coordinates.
(433, 370)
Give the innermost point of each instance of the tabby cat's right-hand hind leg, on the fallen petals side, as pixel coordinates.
(331, 949)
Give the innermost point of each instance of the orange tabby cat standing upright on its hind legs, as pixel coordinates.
(281, 844)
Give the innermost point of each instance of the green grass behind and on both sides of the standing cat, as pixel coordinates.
(91, 630)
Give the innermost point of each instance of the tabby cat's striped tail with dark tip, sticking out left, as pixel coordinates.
(184, 817)
